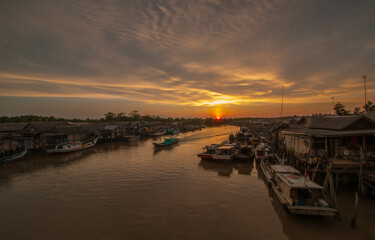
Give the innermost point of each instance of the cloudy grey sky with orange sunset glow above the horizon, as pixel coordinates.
(185, 58)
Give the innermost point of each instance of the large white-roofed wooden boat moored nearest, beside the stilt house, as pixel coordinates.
(296, 192)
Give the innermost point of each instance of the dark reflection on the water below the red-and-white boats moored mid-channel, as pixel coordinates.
(225, 169)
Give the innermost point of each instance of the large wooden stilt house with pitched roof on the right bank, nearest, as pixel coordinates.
(328, 136)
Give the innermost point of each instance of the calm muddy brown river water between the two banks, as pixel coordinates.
(130, 191)
